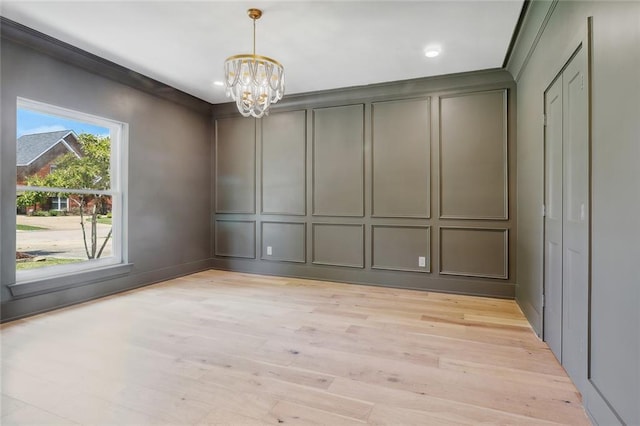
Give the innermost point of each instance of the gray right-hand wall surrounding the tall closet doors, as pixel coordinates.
(550, 31)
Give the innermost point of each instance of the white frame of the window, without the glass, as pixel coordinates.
(55, 277)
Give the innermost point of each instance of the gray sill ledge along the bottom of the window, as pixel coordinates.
(62, 282)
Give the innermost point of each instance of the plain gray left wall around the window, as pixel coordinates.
(169, 193)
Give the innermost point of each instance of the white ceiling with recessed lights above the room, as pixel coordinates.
(322, 44)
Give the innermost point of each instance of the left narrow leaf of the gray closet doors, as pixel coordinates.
(553, 219)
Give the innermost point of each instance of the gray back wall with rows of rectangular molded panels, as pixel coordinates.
(357, 184)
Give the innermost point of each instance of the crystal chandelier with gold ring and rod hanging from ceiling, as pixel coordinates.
(254, 82)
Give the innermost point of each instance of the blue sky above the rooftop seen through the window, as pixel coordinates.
(30, 122)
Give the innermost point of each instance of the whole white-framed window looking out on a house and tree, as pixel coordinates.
(71, 177)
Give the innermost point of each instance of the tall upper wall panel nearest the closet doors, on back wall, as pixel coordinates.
(474, 181)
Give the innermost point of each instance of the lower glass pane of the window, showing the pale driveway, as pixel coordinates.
(52, 237)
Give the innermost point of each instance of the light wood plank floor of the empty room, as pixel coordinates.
(227, 348)
